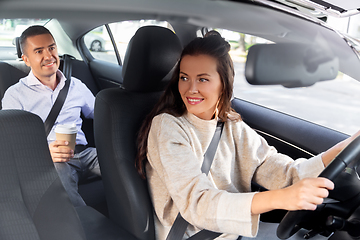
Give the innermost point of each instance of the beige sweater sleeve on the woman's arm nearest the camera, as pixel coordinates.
(172, 157)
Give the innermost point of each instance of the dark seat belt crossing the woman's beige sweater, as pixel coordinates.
(179, 227)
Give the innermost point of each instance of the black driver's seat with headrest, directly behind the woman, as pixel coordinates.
(151, 55)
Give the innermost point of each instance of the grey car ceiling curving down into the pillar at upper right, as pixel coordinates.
(78, 17)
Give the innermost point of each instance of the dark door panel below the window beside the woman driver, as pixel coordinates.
(290, 135)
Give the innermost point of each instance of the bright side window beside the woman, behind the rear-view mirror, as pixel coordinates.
(333, 104)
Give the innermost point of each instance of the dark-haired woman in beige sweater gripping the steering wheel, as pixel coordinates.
(177, 133)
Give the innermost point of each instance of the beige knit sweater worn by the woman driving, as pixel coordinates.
(221, 201)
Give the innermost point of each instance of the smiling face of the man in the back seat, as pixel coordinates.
(40, 53)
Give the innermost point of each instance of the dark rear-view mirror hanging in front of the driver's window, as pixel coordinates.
(289, 64)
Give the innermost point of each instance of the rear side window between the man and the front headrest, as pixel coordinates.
(99, 42)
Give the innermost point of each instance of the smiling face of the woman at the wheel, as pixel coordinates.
(200, 85)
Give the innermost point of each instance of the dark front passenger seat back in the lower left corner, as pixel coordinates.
(33, 202)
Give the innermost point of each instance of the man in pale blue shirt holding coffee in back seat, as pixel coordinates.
(37, 93)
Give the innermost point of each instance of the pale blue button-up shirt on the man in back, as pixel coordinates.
(31, 95)
